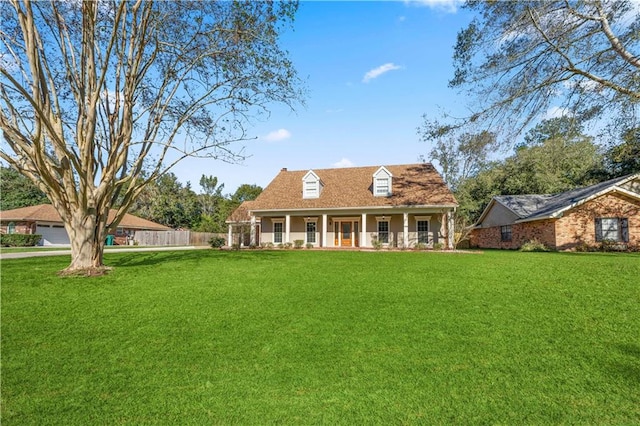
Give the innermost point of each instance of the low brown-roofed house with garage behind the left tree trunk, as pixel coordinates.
(44, 220)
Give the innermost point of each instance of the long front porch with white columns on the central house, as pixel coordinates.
(372, 229)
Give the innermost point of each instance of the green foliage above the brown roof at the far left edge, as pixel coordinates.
(17, 191)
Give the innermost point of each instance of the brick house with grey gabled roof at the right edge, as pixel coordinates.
(605, 212)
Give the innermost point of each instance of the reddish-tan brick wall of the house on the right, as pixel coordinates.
(575, 227)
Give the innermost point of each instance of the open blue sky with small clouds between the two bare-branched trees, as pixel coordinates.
(372, 69)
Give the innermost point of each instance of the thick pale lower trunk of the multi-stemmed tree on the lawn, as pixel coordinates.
(86, 234)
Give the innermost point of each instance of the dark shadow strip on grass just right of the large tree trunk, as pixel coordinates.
(119, 260)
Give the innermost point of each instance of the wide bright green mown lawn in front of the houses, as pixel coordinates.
(309, 337)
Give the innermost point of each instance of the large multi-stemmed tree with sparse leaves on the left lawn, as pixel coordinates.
(99, 98)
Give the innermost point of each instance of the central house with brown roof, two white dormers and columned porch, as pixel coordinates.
(395, 206)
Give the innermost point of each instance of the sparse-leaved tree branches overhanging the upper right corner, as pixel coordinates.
(519, 59)
